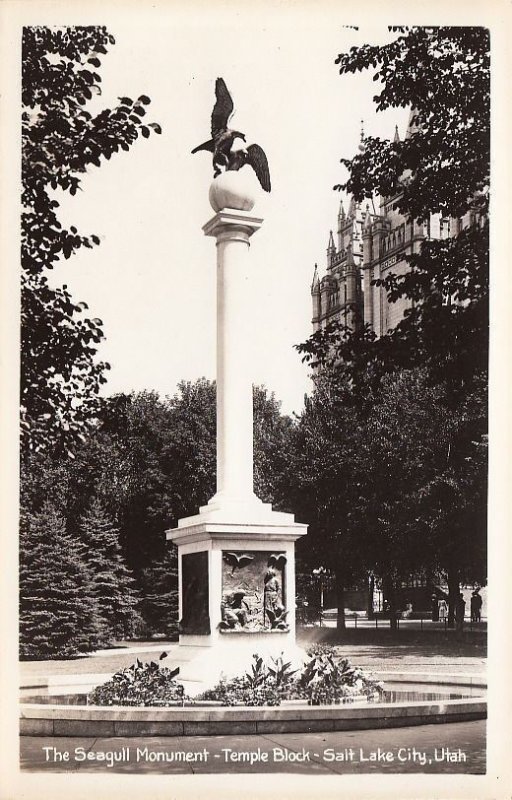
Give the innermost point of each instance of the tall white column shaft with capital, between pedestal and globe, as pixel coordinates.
(232, 230)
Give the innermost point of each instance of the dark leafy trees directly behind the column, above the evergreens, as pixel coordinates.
(149, 461)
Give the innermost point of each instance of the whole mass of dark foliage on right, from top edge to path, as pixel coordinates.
(390, 460)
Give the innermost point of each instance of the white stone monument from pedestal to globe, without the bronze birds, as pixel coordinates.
(236, 557)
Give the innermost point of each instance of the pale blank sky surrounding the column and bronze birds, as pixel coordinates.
(152, 279)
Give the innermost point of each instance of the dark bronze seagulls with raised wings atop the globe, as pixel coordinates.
(223, 138)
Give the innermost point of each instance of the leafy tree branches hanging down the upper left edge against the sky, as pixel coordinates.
(60, 376)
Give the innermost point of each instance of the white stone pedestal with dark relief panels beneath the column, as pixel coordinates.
(236, 589)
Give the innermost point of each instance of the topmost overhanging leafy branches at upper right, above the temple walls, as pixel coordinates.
(443, 74)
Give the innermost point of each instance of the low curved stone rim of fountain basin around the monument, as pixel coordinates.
(413, 699)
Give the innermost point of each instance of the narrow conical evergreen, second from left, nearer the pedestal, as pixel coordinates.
(112, 585)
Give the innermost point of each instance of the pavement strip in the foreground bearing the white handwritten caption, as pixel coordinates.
(450, 748)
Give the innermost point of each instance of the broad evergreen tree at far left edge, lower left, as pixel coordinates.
(58, 614)
